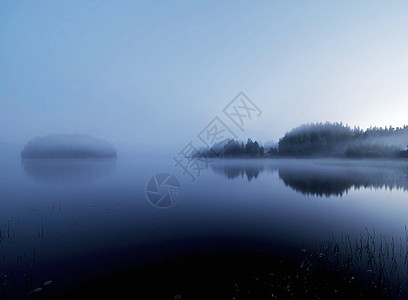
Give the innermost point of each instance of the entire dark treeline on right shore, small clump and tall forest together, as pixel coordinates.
(324, 140)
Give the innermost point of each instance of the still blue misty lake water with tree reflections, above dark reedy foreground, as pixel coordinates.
(70, 220)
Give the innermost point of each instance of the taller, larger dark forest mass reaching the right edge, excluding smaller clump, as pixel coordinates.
(337, 139)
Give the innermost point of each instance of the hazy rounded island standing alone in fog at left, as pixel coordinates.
(68, 146)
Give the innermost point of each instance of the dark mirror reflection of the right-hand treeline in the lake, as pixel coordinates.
(320, 178)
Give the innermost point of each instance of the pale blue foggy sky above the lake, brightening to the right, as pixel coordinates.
(153, 73)
